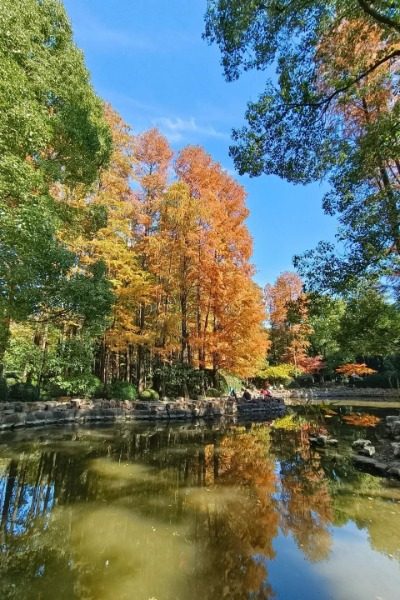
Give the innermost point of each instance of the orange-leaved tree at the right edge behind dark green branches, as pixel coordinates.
(367, 109)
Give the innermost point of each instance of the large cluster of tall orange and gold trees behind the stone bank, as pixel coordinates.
(177, 251)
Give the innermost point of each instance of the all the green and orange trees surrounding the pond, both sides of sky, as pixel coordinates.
(126, 267)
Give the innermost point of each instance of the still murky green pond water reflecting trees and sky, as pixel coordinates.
(194, 512)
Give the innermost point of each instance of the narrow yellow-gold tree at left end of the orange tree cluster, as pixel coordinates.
(115, 208)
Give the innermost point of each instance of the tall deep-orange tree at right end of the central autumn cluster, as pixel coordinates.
(229, 332)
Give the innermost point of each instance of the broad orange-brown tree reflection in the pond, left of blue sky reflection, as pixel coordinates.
(241, 535)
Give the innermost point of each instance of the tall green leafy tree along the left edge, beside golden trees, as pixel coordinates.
(52, 131)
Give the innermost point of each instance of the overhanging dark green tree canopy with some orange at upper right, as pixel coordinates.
(331, 110)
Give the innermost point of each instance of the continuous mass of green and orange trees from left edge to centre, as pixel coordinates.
(120, 262)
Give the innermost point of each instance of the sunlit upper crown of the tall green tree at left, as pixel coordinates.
(51, 121)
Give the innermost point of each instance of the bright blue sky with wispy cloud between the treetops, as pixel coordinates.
(147, 59)
